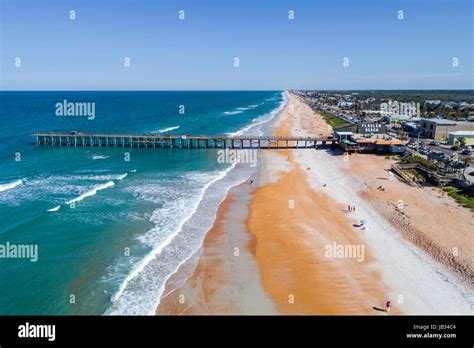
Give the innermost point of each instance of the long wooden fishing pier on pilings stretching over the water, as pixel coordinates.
(181, 141)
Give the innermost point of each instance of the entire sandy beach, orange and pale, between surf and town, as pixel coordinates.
(272, 247)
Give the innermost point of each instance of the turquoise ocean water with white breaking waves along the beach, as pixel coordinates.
(110, 231)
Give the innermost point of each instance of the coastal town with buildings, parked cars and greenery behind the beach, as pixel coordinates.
(433, 140)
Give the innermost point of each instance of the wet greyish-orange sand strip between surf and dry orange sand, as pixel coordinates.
(225, 278)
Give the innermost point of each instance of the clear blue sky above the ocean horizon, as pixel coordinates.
(275, 53)
